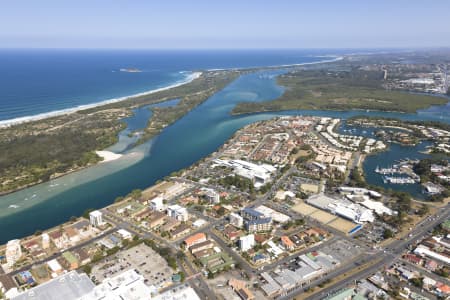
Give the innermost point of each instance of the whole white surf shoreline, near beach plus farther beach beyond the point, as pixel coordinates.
(189, 78)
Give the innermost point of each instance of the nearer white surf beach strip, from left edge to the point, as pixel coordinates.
(42, 116)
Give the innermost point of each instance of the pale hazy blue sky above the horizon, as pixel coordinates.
(224, 24)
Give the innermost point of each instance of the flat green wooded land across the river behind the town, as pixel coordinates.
(339, 90)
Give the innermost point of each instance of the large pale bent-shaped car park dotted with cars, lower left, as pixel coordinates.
(142, 258)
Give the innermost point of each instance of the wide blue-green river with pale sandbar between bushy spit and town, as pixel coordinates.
(194, 136)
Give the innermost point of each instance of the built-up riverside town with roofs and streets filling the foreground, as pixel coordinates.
(280, 211)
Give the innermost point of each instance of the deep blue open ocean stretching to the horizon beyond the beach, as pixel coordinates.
(40, 81)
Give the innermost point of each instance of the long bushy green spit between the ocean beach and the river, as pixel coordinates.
(37, 151)
